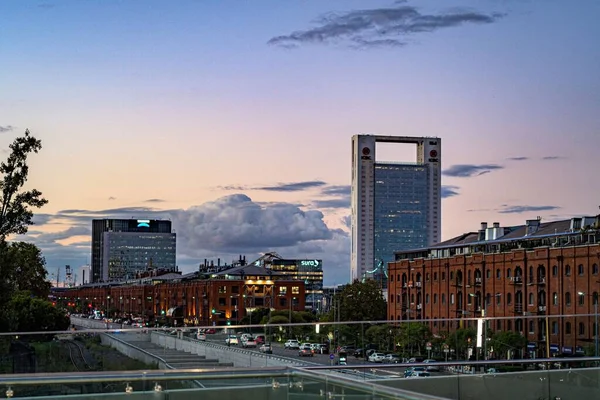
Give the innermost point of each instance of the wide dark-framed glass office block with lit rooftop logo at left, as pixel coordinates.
(121, 247)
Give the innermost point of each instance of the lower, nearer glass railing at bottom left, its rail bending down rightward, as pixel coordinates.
(231, 384)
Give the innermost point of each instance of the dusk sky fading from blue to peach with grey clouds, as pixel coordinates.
(234, 119)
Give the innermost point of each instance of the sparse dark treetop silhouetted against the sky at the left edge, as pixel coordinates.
(15, 204)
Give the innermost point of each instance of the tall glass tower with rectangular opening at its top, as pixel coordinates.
(395, 205)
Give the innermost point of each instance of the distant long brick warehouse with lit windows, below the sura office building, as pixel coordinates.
(223, 297)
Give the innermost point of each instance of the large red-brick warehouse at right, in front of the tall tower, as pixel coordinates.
(540, 270)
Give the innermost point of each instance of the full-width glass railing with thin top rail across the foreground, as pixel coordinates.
(385, 359)
